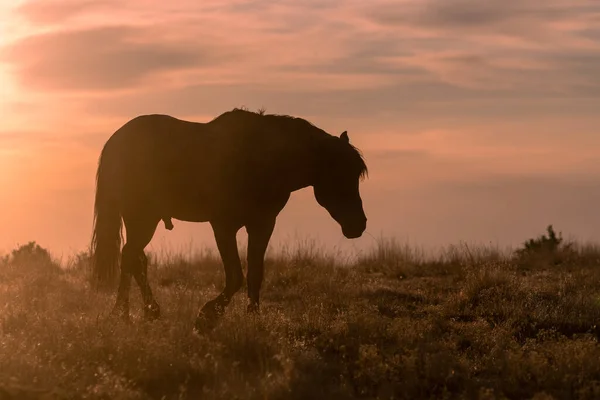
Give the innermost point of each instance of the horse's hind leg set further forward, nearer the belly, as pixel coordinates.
(139, 233)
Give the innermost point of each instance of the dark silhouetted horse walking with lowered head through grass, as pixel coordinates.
(235, 171)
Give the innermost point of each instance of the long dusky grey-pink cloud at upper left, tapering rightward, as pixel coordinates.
(102, 58)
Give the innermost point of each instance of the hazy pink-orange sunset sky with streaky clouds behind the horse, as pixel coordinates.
(479, 120)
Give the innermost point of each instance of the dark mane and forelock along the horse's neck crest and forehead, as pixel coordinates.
(356, 157)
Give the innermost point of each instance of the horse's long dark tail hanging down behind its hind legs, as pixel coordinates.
(107, 231)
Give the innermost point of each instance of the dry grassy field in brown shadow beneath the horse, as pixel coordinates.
(467, 323)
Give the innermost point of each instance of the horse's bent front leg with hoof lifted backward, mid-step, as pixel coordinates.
(225, 236)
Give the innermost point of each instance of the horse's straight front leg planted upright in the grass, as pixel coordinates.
(259, 234)
